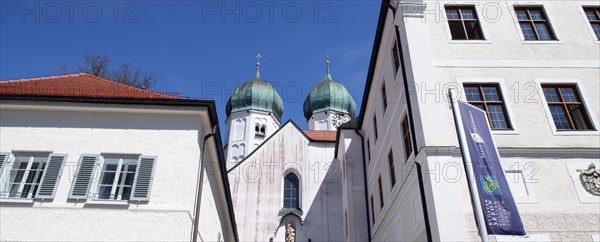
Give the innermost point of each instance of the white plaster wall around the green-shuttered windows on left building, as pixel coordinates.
(174, 139)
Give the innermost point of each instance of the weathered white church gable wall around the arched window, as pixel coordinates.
(257, 186)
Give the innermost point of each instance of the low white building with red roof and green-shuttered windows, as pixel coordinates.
(89, 168)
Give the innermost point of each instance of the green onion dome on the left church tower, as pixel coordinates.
(255, 94)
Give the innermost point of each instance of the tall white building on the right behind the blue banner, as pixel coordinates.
(533, 67)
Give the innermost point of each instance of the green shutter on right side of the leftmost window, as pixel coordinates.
(52, 173)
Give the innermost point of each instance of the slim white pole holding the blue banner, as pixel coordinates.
(460, 132)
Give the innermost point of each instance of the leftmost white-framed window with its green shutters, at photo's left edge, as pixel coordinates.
(29, 175)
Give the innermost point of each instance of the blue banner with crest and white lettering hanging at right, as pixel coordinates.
(499, 209)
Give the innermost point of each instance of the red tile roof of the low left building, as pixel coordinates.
(81, 85)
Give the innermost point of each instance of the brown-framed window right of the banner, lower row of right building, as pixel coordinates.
(566, 107)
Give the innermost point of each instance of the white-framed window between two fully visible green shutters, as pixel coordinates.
(116, 178)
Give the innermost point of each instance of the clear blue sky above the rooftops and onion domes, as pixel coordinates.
(202, 49)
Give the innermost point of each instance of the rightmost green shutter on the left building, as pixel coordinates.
(143, 179)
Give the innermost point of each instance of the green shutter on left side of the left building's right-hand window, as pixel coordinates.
(83, 177)
